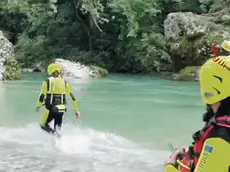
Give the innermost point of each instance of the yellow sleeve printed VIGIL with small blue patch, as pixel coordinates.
(214, 156)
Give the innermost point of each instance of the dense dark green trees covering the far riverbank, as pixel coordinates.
(120, 35)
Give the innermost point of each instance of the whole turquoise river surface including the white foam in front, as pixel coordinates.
(127, 123)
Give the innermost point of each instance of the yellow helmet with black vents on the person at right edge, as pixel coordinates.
(215, 80)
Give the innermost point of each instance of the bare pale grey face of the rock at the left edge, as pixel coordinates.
(6, 51)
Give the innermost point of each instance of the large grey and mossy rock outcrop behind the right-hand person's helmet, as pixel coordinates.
(189, 37)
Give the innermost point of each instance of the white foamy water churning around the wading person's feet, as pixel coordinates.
(80, 149)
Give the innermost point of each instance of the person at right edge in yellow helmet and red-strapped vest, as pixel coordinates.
(211, 147)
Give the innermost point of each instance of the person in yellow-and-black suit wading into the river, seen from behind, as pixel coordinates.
(53, 96)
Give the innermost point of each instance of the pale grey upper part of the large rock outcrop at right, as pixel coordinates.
(192, 25)
